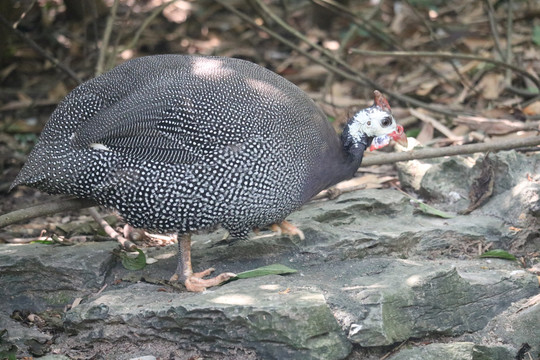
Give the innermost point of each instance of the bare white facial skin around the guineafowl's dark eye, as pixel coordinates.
(373, 122)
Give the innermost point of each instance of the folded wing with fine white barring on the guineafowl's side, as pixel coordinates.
(151, 126)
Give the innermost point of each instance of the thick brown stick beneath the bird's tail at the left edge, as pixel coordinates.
(44, 209)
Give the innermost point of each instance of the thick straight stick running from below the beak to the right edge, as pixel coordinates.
(427, 153)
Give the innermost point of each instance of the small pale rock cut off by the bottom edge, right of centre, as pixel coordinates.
(453, 351)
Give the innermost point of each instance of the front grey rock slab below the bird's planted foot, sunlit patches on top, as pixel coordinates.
(248, 314)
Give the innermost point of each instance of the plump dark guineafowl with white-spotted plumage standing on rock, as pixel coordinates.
(191, 143)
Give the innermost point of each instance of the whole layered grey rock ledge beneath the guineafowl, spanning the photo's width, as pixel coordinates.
(373, 272)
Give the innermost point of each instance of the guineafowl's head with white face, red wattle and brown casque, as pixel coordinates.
(372, 127)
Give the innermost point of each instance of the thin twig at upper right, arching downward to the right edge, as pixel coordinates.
(447, 55)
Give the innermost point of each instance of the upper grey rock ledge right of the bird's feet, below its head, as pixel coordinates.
(384, 222)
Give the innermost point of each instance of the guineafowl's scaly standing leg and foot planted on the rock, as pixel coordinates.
(184, 273)
